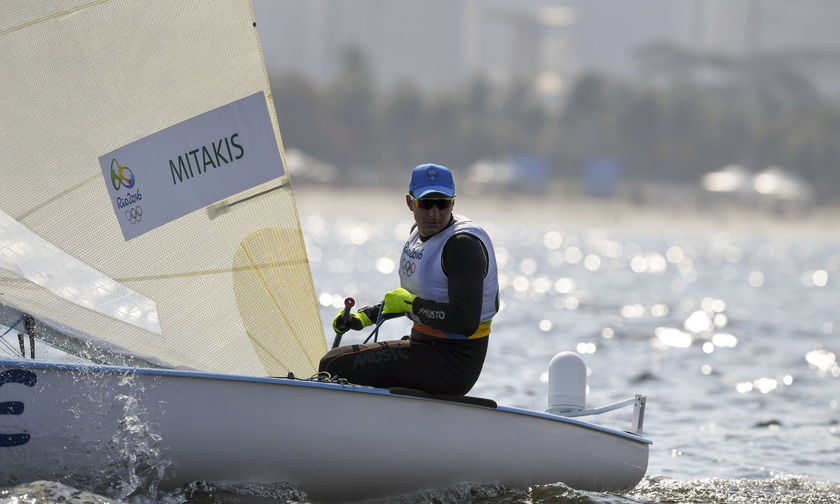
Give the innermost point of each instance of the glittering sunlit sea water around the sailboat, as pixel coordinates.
(728, 321)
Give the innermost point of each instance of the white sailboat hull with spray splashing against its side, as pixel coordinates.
(84, 423)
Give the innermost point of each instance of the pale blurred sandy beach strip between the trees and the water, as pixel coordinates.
(581, 211)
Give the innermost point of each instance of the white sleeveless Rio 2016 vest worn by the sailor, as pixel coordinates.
(421, 270)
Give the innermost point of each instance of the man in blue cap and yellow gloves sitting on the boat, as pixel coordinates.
(448, 287)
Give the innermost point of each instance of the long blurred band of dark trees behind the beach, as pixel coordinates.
(688, 117)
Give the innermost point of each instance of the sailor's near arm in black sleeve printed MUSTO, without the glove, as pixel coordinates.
(465, 265)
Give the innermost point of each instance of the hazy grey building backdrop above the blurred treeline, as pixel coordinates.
(442, 43)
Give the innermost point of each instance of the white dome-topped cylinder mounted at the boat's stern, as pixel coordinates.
(566, 383)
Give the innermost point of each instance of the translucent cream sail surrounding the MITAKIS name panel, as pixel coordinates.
(225, 288)
